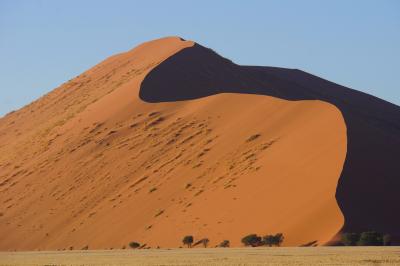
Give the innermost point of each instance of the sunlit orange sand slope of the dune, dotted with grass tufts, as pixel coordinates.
(92, 164)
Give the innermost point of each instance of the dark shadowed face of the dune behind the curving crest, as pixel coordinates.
(367, 189)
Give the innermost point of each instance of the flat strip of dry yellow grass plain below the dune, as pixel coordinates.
(211, 256)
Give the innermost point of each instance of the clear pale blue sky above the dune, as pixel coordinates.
(353, 43)
